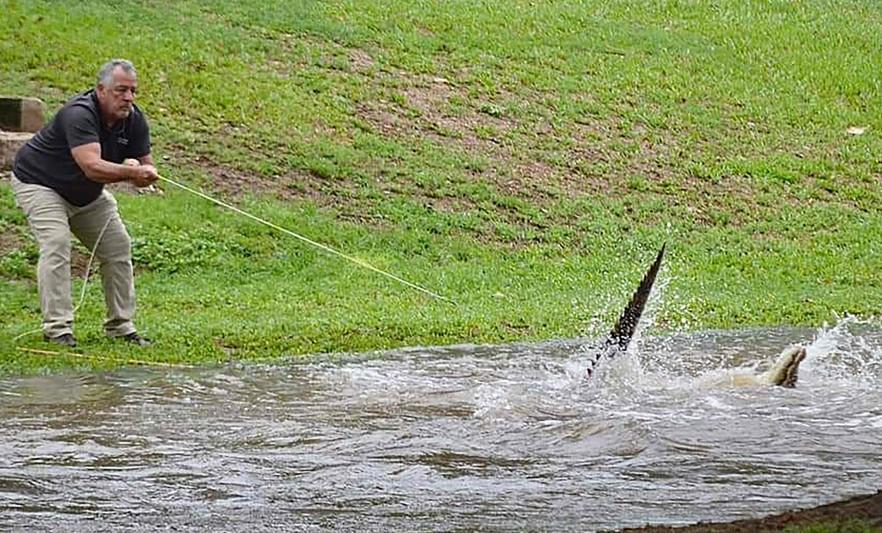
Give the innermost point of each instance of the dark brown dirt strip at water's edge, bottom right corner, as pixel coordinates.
(868, 507)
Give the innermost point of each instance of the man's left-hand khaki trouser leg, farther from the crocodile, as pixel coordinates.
(47, 214)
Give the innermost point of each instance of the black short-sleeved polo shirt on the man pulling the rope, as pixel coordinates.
(46, 159)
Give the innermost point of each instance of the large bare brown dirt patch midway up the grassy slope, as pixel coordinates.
(594, 155)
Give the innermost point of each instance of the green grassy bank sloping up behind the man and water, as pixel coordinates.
(525, 161)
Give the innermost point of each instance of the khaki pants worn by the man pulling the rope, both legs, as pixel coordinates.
(52, 219)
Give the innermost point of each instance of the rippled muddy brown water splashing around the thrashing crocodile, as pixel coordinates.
(457, 438)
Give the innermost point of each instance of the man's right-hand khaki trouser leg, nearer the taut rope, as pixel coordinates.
(115, 253)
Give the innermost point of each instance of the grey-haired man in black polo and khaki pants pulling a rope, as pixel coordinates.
(98, 137)
